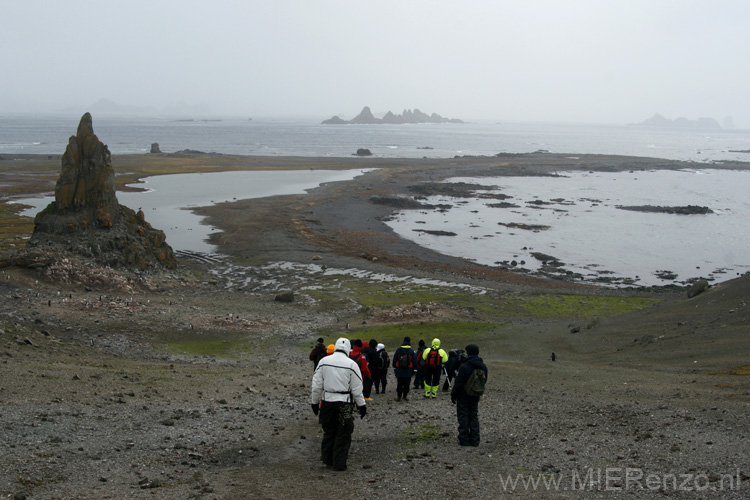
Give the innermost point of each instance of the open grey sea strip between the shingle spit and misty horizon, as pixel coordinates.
(49, 135)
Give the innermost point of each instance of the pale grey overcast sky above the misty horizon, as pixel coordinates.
(599, 61)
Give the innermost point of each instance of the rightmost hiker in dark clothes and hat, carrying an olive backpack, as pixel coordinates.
(467, 407)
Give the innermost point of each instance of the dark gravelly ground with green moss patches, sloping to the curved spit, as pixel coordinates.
(193, 382)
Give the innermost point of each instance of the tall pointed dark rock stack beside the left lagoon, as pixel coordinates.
(86, 219)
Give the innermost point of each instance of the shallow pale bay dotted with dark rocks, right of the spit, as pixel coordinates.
(577, 218)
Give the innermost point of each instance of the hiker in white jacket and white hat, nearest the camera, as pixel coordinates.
(336, 389)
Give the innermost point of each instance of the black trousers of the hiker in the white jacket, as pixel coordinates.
(337, 420)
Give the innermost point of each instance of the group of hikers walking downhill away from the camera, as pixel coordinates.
(346, 371)
